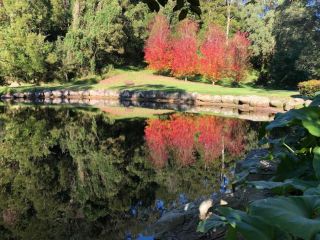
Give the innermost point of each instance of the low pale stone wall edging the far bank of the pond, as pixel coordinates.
(245, 103)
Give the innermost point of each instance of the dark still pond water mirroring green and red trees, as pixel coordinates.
(80, 173)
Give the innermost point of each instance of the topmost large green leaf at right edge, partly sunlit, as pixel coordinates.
(309, 117)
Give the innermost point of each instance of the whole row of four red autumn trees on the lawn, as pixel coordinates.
(179, 52)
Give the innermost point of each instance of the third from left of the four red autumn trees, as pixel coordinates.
(213, 54)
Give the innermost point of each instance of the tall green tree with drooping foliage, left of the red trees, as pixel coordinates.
(96, 36)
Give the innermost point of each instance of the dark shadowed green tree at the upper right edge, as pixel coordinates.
(297, 48)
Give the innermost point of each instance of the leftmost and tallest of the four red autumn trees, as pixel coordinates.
(158, 47)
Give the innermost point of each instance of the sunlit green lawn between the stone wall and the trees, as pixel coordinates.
(146, 80)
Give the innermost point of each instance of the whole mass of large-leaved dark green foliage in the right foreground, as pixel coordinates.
(293, 212)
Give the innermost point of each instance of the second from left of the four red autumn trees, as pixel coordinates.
(184, 49)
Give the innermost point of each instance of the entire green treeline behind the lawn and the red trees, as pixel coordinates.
(45, 40)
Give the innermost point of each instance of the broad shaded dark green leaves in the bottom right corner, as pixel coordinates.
(271, 218)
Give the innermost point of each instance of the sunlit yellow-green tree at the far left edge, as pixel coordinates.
(25, 52)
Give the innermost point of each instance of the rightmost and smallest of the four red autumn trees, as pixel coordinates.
(238, 52)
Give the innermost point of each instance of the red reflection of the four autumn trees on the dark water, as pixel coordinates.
(183, 135)
